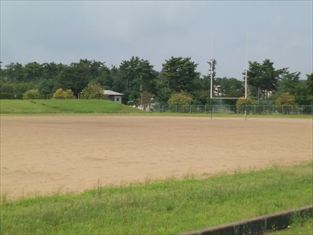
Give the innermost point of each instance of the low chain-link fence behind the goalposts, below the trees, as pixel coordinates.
(233, 109)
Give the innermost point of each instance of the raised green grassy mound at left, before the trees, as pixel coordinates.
(62, 106)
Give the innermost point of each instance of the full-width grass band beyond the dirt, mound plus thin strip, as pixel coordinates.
(101, 107)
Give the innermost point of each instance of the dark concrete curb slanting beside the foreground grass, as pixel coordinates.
(258, 225)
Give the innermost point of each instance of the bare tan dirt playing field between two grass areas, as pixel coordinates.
(49, 154)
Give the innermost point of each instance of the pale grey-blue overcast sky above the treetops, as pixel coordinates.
(232, 32)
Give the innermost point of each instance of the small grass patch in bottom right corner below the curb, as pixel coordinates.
(302, 227)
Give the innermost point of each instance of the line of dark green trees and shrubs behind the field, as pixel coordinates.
(178, 82)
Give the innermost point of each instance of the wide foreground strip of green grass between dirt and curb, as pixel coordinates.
(164, 207)
